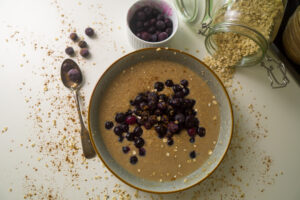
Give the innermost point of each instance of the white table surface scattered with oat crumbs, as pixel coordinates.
(263, 161)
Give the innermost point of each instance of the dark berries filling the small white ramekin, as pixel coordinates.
(151, 25)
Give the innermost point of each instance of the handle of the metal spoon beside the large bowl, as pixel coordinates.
(87, 146)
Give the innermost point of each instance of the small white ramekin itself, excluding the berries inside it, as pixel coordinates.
(167, 10)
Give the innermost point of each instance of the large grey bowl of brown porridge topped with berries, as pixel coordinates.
(160, 120)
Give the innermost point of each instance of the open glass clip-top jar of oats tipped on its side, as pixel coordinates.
(246, 27)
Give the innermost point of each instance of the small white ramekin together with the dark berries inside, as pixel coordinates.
(151, 23)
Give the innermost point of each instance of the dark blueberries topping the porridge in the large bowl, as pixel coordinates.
(167, 115)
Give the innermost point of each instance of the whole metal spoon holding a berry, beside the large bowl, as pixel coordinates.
(71, 76)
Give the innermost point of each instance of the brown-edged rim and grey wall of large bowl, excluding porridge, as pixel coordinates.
(215, 85)
